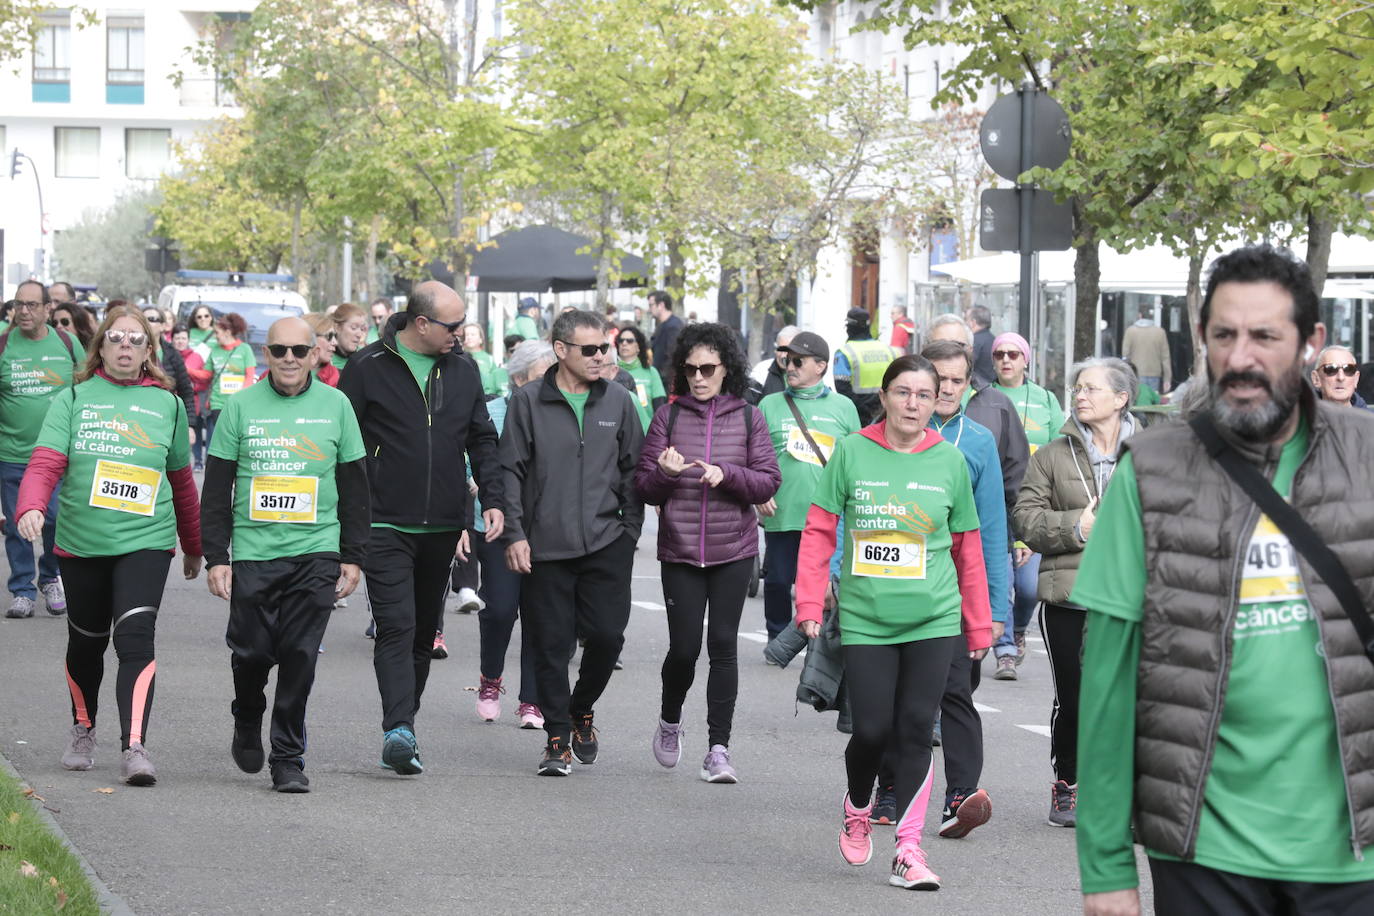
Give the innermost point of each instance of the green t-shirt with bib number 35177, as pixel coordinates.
(286, 448)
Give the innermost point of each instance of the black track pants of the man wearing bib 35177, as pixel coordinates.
(278, 613)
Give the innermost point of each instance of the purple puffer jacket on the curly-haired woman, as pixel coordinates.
(701, 525)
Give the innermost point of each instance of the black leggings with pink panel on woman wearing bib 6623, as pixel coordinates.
(895, 693)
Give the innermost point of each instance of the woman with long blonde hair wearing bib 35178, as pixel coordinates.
(120, 440)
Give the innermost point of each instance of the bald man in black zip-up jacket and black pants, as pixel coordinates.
(421, 407)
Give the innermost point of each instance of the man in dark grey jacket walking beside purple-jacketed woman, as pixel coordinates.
(570, 450)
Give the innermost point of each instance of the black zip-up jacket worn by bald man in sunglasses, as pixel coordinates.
(416, 440)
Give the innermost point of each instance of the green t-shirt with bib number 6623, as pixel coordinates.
(898, 580)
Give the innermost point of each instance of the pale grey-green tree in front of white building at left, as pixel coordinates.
(106, 248)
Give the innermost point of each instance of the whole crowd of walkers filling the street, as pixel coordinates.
(1203, 579)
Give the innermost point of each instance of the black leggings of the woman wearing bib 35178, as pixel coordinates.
(116, 595)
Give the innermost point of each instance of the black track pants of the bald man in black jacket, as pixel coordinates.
(407, 584)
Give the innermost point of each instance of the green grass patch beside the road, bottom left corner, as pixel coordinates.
(38, 873)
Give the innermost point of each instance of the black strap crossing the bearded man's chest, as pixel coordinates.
(1305, 540)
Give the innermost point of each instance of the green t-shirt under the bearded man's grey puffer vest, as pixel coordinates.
(1274, 805)
